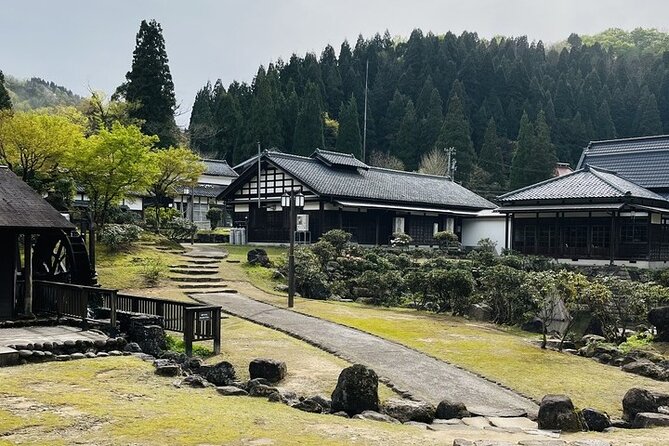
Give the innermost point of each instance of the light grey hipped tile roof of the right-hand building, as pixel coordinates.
(588, 182)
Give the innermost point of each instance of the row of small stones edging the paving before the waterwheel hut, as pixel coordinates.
(69, 350)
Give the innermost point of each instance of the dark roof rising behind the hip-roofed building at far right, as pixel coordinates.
(644, 160)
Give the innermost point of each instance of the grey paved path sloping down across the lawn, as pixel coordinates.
(409, 371)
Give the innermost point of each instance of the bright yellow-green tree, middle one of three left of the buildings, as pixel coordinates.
(112, 165)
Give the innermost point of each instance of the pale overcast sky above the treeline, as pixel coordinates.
(84, 44)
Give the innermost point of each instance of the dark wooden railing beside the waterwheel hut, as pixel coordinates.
(196, 322)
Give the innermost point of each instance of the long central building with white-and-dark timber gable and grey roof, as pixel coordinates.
(342, 192)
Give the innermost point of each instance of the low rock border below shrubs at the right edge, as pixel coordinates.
(640, 362)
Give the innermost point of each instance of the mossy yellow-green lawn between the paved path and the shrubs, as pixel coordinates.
(503, 355)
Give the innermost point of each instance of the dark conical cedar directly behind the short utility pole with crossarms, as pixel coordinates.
(455, 133)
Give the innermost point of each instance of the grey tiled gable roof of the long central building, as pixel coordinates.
(378, 184)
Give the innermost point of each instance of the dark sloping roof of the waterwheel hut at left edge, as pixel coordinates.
(22, 207)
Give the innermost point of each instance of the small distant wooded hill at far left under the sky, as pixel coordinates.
(37, 93)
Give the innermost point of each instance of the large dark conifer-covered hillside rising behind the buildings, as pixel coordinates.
(447, 91)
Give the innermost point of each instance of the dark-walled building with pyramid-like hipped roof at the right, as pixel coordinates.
(589, 216)
